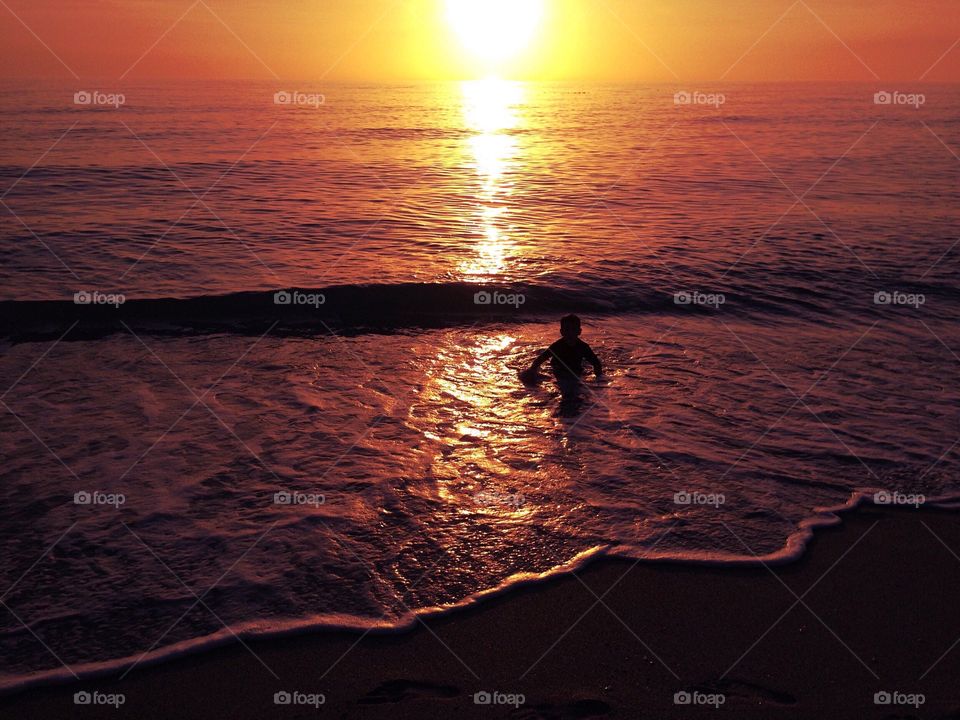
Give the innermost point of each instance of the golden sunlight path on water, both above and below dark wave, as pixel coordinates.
(468, 397)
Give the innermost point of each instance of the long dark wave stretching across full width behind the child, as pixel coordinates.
(391, 307)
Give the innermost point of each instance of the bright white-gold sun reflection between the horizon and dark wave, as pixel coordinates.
(490, 109)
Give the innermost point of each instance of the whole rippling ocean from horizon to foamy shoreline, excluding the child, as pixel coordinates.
(260, 352)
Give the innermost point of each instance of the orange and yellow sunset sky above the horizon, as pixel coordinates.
(408, 40)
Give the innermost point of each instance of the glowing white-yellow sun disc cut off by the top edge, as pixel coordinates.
(494, 30)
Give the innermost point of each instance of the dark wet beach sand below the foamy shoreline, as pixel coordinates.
(877, 609)
